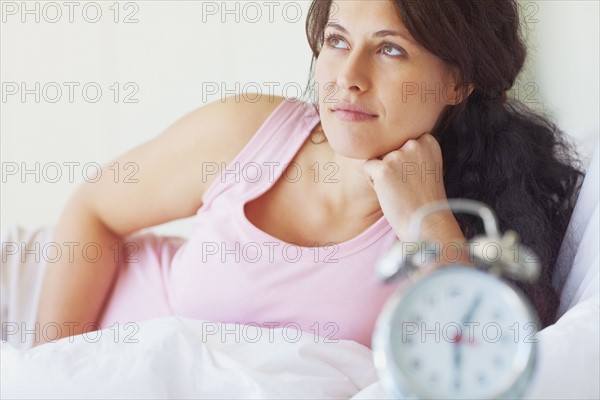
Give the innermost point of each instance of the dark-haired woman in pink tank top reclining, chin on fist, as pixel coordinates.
(411, 109)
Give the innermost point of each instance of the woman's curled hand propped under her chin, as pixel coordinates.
(407, 178)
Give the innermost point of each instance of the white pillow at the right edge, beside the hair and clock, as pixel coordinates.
(569, 356)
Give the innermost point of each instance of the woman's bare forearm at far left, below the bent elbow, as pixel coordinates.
(74, 288)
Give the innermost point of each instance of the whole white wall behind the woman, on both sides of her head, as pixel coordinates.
(173, 49)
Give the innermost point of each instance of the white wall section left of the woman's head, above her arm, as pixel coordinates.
(168, 55)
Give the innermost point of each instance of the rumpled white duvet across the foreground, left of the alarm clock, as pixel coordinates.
(183, 358)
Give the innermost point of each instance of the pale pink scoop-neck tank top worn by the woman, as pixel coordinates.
(231, 271)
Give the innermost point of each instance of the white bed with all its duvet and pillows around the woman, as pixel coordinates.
(174, 357)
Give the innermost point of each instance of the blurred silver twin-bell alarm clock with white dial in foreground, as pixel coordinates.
(459, 332)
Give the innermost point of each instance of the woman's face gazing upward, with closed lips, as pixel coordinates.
(402, 85)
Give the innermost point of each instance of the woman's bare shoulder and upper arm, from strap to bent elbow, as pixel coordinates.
(171, 178)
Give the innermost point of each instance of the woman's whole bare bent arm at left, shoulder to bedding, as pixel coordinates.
(170, 185)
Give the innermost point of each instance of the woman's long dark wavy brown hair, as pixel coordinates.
(495, 150)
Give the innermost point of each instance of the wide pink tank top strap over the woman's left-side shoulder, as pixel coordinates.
(268, 151)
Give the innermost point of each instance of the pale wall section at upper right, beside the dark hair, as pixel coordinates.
(562, 73)
